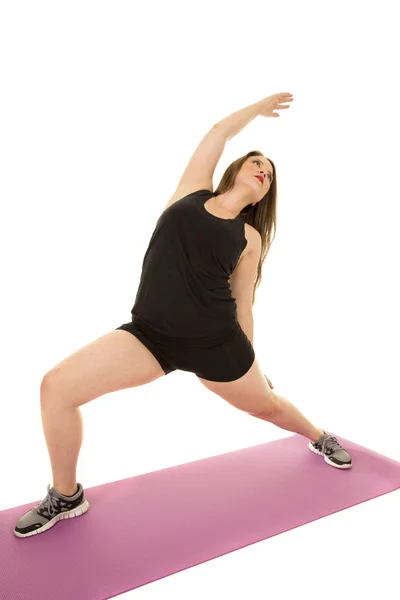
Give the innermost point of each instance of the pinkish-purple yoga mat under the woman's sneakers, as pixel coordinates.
(150, 526)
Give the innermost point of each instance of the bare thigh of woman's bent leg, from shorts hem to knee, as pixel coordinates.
(115, 361)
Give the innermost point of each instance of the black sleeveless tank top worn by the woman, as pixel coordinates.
(184, 289)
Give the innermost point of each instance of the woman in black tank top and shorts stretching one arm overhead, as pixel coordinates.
(193, 312)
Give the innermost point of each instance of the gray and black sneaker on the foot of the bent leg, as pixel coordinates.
(55, 507)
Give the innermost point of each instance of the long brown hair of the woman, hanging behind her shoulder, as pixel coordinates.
(262, 216)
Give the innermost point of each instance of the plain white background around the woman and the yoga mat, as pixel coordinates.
(103, 103)
